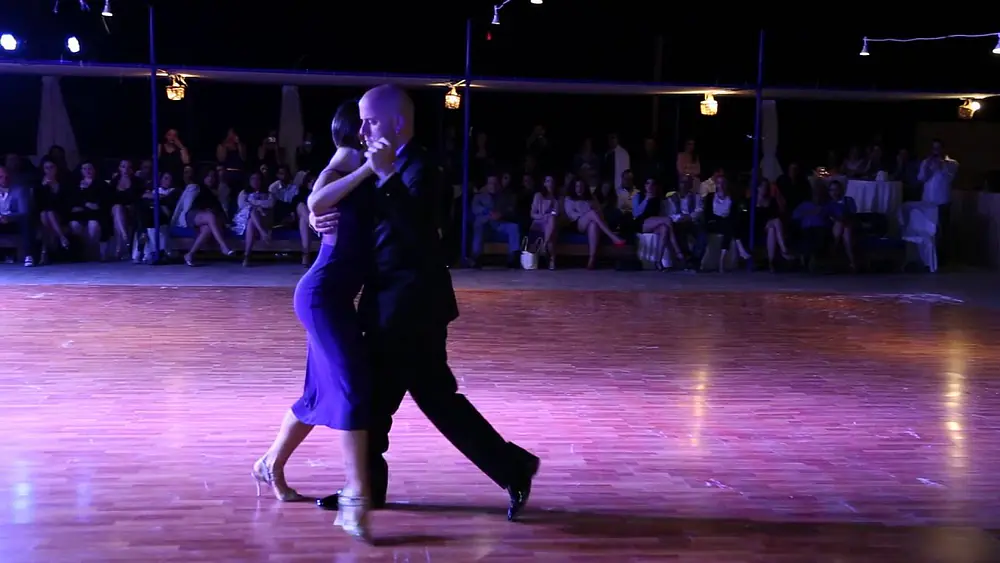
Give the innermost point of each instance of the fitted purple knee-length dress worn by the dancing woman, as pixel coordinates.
(338, 384)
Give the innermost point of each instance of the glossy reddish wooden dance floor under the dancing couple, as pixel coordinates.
(704, 427)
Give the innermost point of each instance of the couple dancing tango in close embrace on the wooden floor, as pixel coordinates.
(376, 207)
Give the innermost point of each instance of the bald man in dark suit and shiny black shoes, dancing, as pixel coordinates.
(408, 302)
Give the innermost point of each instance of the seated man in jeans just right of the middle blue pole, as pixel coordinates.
(494, 210)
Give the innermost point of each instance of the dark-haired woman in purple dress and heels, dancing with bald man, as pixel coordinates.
(337, 386)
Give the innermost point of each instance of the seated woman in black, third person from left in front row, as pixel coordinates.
(89, 213)
